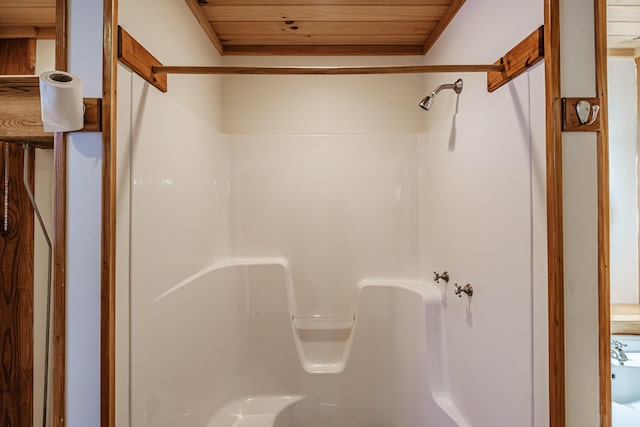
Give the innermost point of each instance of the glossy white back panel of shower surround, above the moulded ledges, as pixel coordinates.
(340, 208)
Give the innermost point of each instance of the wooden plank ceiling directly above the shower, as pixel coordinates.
(324, 27)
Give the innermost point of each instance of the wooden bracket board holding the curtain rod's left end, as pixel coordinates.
(136, 57)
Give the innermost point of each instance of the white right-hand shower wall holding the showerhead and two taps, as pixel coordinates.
(482, 210)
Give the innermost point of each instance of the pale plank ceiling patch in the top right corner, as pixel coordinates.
(623, 25)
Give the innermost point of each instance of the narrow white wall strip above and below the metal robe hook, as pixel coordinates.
(580, 221)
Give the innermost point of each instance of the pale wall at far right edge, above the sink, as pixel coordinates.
(623, 175)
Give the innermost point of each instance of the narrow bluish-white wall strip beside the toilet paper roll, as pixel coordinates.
(84, 178)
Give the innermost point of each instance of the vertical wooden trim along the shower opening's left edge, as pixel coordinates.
(108, 271)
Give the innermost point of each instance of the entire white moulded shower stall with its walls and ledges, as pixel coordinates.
(277, 238)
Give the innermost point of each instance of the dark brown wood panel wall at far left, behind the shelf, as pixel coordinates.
(16, 264)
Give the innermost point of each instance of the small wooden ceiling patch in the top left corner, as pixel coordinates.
(28, 19)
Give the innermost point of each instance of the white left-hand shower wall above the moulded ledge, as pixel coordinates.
(173, 185)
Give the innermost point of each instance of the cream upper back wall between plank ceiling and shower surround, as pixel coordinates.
(322, 104)
